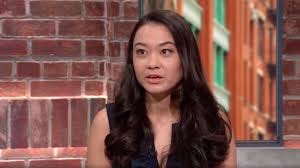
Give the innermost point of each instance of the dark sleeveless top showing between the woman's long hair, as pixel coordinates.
(147, 157)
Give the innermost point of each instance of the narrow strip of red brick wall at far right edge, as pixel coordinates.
(291, 73)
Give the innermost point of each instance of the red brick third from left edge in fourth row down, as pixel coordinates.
(55, 70)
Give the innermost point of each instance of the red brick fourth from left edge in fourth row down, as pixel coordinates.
(83, 69)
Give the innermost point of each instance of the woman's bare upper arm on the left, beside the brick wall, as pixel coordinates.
(95, 149)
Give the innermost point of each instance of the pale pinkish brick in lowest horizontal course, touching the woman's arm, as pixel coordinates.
(72, 152)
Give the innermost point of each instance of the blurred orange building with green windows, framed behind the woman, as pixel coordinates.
(237, 43)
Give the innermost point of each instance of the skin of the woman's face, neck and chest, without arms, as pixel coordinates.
(158, 55)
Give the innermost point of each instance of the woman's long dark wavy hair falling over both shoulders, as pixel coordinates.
(202, 136)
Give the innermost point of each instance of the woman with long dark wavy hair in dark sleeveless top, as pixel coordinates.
(164, 114)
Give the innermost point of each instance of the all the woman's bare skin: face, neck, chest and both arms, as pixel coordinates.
(152, 54)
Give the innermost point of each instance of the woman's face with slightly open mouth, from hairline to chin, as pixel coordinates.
(155, 59)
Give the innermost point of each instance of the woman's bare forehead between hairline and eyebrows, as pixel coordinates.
(153, 33)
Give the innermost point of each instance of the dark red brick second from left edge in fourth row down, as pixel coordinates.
(28, 69)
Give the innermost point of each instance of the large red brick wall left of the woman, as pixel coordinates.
(58, 63)
